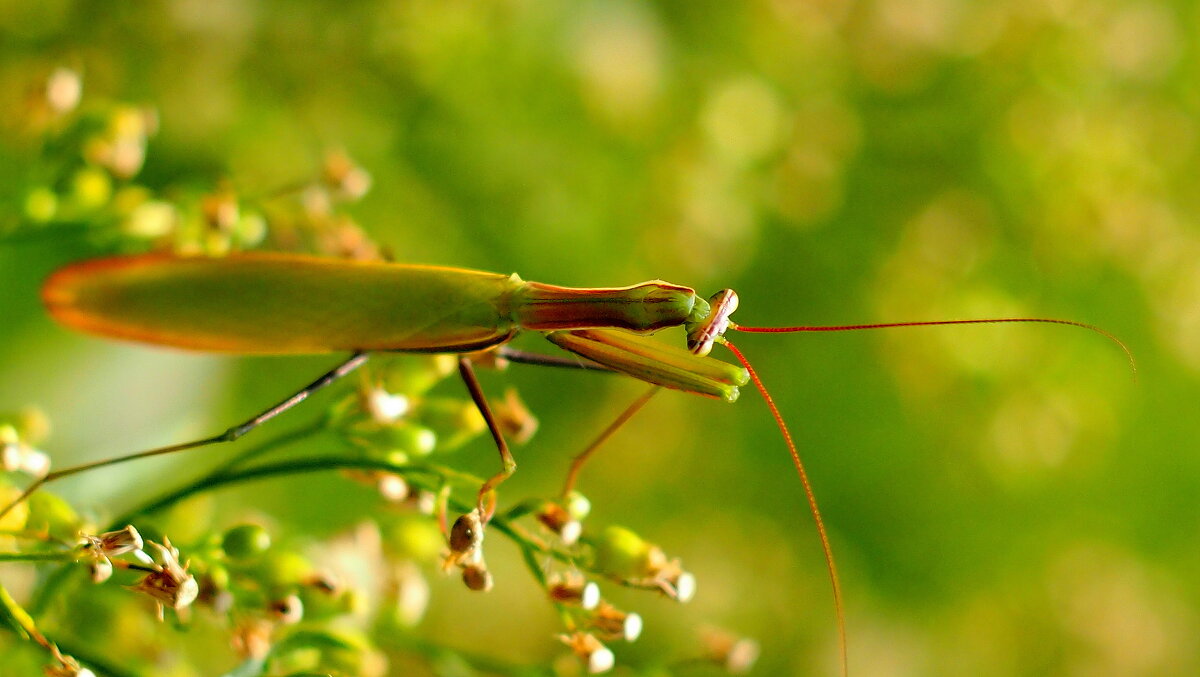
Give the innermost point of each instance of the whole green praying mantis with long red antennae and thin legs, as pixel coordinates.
(291, 304)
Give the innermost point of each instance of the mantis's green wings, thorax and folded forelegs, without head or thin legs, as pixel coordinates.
(281, 304)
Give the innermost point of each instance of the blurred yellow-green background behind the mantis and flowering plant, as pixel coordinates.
(1001, 500)
